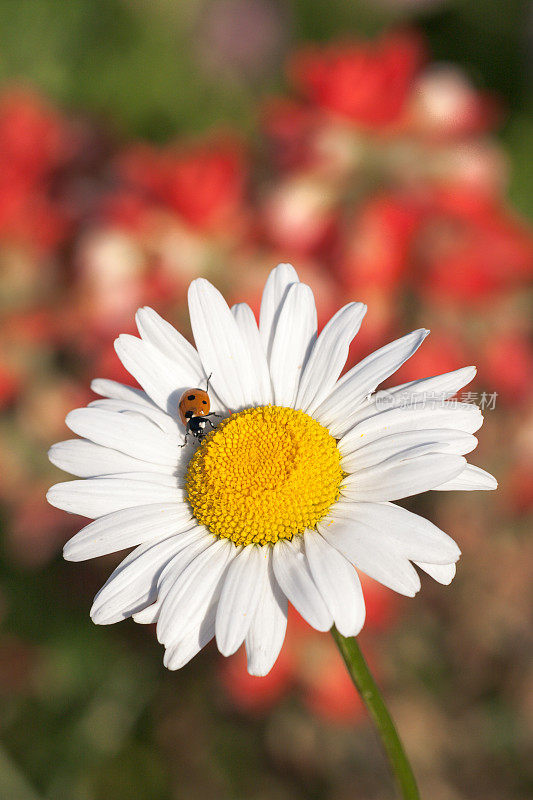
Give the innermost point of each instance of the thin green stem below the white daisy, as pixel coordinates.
(367, 688)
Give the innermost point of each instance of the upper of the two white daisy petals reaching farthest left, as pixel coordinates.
(88, 460)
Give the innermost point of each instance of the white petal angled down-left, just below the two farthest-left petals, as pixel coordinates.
(128, 528)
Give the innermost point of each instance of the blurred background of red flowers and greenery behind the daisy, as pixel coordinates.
(385, 149)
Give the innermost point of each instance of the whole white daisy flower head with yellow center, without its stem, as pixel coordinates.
(284, 492)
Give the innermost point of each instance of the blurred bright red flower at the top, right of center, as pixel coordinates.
(367, 83)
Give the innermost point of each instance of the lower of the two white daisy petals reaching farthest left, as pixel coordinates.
(94, 497)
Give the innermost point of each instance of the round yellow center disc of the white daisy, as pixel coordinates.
(264, 474)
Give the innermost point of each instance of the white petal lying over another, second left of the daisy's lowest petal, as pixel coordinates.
(193, 590)
